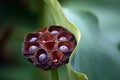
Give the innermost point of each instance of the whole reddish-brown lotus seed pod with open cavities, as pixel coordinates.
(49, 47)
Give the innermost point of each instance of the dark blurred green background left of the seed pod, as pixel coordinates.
(18, 18)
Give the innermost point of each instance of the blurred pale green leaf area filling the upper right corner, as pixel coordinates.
(107, 12)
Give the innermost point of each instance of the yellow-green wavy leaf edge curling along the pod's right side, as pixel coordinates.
(60, 19)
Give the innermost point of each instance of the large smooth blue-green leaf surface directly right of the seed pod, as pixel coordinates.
(96, 56)
